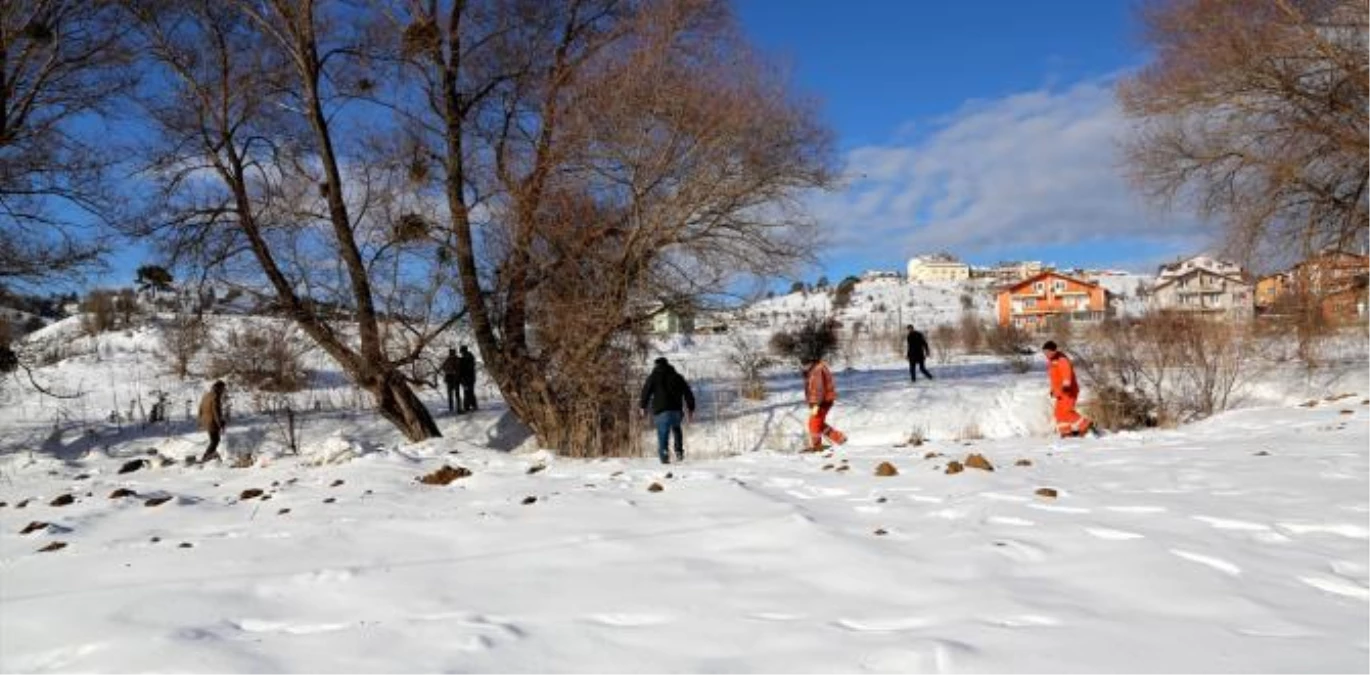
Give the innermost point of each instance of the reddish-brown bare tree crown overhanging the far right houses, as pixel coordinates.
(1258, 113)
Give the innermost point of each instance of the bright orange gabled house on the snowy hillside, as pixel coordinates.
(1042, 298)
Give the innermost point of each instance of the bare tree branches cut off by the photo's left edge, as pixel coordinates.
(62, 66)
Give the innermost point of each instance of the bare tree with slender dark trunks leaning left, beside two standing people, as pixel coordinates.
(269, 169)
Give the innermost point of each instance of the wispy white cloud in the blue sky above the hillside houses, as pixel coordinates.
(1031, 170)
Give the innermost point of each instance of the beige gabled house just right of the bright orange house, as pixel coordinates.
(1204, 285)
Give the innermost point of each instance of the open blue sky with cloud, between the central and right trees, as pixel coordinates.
(986, 128)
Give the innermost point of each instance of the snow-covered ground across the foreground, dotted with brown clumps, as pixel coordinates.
(1241, 544)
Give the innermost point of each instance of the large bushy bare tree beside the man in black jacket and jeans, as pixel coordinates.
(602, 161)
